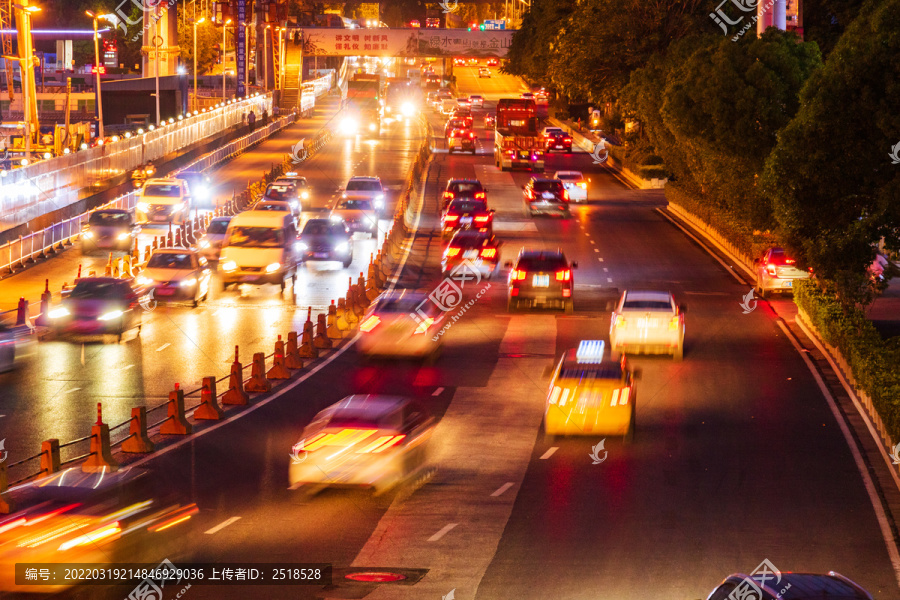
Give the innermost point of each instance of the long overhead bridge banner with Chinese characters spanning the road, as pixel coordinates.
(405, 42)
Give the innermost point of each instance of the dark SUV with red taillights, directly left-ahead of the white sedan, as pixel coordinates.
(541, 278)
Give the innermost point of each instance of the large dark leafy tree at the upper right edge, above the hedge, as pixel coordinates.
(832, 184)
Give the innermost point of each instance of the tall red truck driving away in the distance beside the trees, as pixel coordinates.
(517, 141)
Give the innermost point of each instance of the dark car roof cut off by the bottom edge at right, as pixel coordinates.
(775, 585)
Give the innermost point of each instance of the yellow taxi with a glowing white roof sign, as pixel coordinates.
(604, 390)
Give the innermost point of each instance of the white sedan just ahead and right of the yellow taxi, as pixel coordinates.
(647, 322)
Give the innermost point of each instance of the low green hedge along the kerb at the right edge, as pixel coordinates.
(873, 361)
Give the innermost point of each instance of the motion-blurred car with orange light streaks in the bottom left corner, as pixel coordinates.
(100, 518)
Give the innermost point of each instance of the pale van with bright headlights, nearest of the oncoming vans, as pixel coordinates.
(259, 247)
